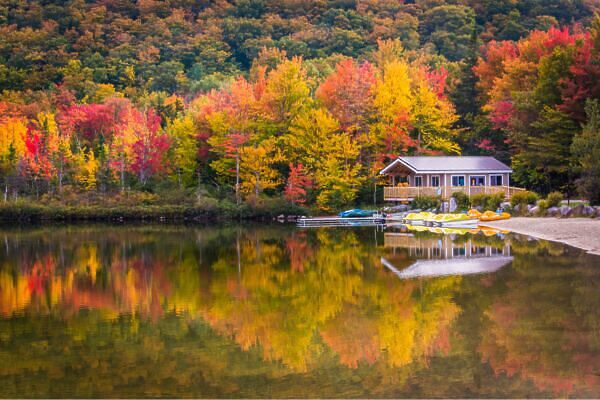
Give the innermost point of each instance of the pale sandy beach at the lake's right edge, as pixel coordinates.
(583, 233)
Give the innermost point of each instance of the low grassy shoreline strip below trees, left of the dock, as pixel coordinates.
(27, 212)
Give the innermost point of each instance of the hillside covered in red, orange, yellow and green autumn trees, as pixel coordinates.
(252, 99)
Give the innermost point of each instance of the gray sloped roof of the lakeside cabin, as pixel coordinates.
(433, 164)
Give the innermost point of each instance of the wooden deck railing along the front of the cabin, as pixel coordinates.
(400, 193)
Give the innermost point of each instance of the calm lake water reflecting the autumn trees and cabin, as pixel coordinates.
(274, 311)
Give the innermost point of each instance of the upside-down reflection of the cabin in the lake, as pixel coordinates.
(443, 255)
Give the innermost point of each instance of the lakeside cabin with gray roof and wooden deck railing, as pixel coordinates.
(411, 177)
